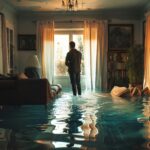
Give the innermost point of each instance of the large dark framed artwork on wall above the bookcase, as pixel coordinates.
(120, 37)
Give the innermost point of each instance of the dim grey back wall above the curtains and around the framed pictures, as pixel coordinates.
(27, 25)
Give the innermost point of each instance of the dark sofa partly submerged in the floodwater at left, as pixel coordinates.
(27, 92)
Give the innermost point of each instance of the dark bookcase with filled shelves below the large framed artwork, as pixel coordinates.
(117, 72)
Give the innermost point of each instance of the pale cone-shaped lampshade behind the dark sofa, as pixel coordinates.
(34, 62)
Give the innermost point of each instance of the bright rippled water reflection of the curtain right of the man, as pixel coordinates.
(89, 126)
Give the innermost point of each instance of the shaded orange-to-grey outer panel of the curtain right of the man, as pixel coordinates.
(101, 57)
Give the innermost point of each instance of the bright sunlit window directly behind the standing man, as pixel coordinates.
(61, 47)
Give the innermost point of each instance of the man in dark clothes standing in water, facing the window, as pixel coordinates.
(73, 61)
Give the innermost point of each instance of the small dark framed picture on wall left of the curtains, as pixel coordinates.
(27, 42)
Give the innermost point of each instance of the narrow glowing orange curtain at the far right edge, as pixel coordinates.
(147, 54)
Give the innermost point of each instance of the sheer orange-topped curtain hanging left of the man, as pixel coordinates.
(45, 46)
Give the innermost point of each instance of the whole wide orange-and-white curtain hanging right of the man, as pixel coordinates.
(95, 45)
